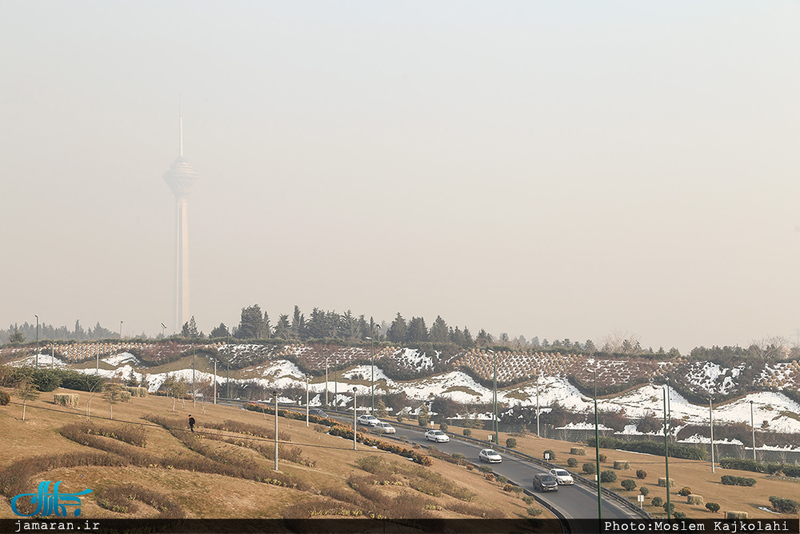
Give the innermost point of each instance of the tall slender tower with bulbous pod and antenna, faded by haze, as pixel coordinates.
(181, 177)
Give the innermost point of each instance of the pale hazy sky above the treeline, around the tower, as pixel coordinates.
(552, 169)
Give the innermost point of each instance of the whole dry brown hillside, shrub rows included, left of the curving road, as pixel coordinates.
(145, 463)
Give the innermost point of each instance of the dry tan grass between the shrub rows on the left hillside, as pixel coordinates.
(209, 495)
